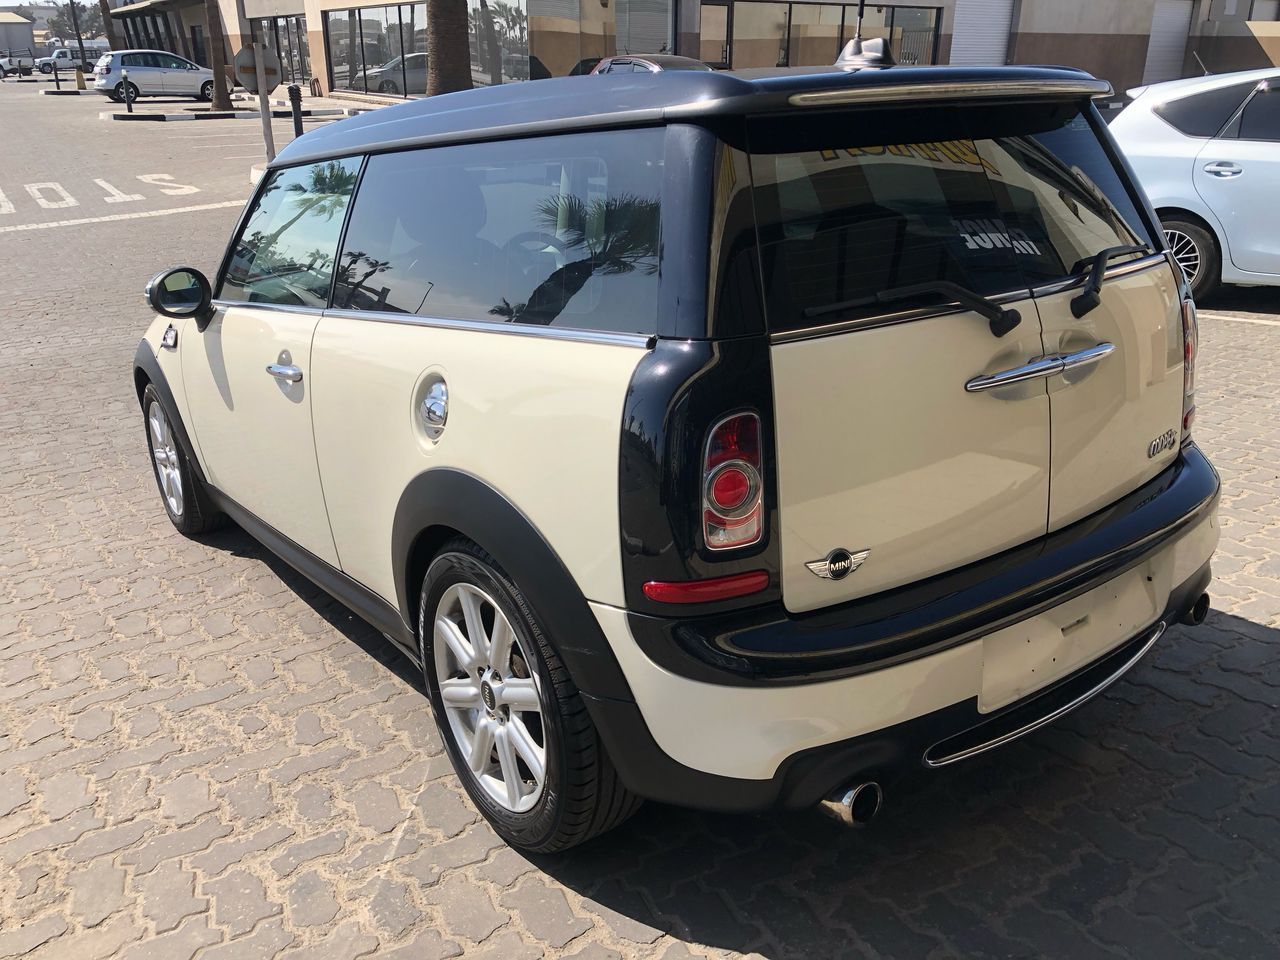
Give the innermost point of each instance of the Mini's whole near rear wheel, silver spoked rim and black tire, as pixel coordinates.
(513, 721)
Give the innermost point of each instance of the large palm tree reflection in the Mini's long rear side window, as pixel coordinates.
(619, 235)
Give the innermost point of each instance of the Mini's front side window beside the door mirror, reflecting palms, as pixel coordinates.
(285, 253)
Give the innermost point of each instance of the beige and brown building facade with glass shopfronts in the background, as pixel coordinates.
(381, 49)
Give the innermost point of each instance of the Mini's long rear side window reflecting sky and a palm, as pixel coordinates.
(561, 231)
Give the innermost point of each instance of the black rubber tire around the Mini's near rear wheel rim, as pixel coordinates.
(582, 794)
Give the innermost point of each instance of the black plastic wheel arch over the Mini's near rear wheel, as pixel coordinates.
(444, 504)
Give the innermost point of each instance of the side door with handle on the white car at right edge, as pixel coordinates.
(1238, 176)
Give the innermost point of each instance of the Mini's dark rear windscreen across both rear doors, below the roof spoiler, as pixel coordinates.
(996, 200)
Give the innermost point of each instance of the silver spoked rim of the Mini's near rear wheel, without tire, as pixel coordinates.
(492, 697)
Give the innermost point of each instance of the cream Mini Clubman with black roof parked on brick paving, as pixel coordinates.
(732, 441)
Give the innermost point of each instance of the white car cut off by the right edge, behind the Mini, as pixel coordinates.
(1208, 153)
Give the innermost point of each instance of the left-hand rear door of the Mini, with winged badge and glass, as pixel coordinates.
(881, 447)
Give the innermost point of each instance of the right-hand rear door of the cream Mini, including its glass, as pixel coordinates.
(1123, 387)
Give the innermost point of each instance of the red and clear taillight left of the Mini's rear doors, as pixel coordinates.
(733, 490)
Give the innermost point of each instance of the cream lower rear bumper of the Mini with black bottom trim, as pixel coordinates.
(752, 746)
